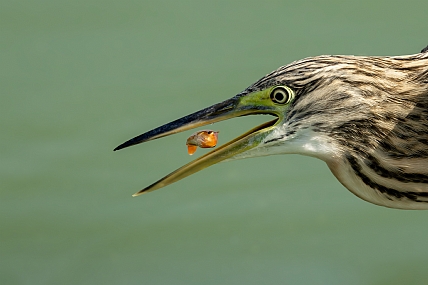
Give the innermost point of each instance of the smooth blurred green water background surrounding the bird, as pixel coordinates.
(80, 77)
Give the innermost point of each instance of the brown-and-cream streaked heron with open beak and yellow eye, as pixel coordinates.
(366, 117)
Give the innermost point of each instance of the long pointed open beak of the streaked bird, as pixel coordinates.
(230, 108)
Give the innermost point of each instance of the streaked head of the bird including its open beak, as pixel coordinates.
(312, 101)
